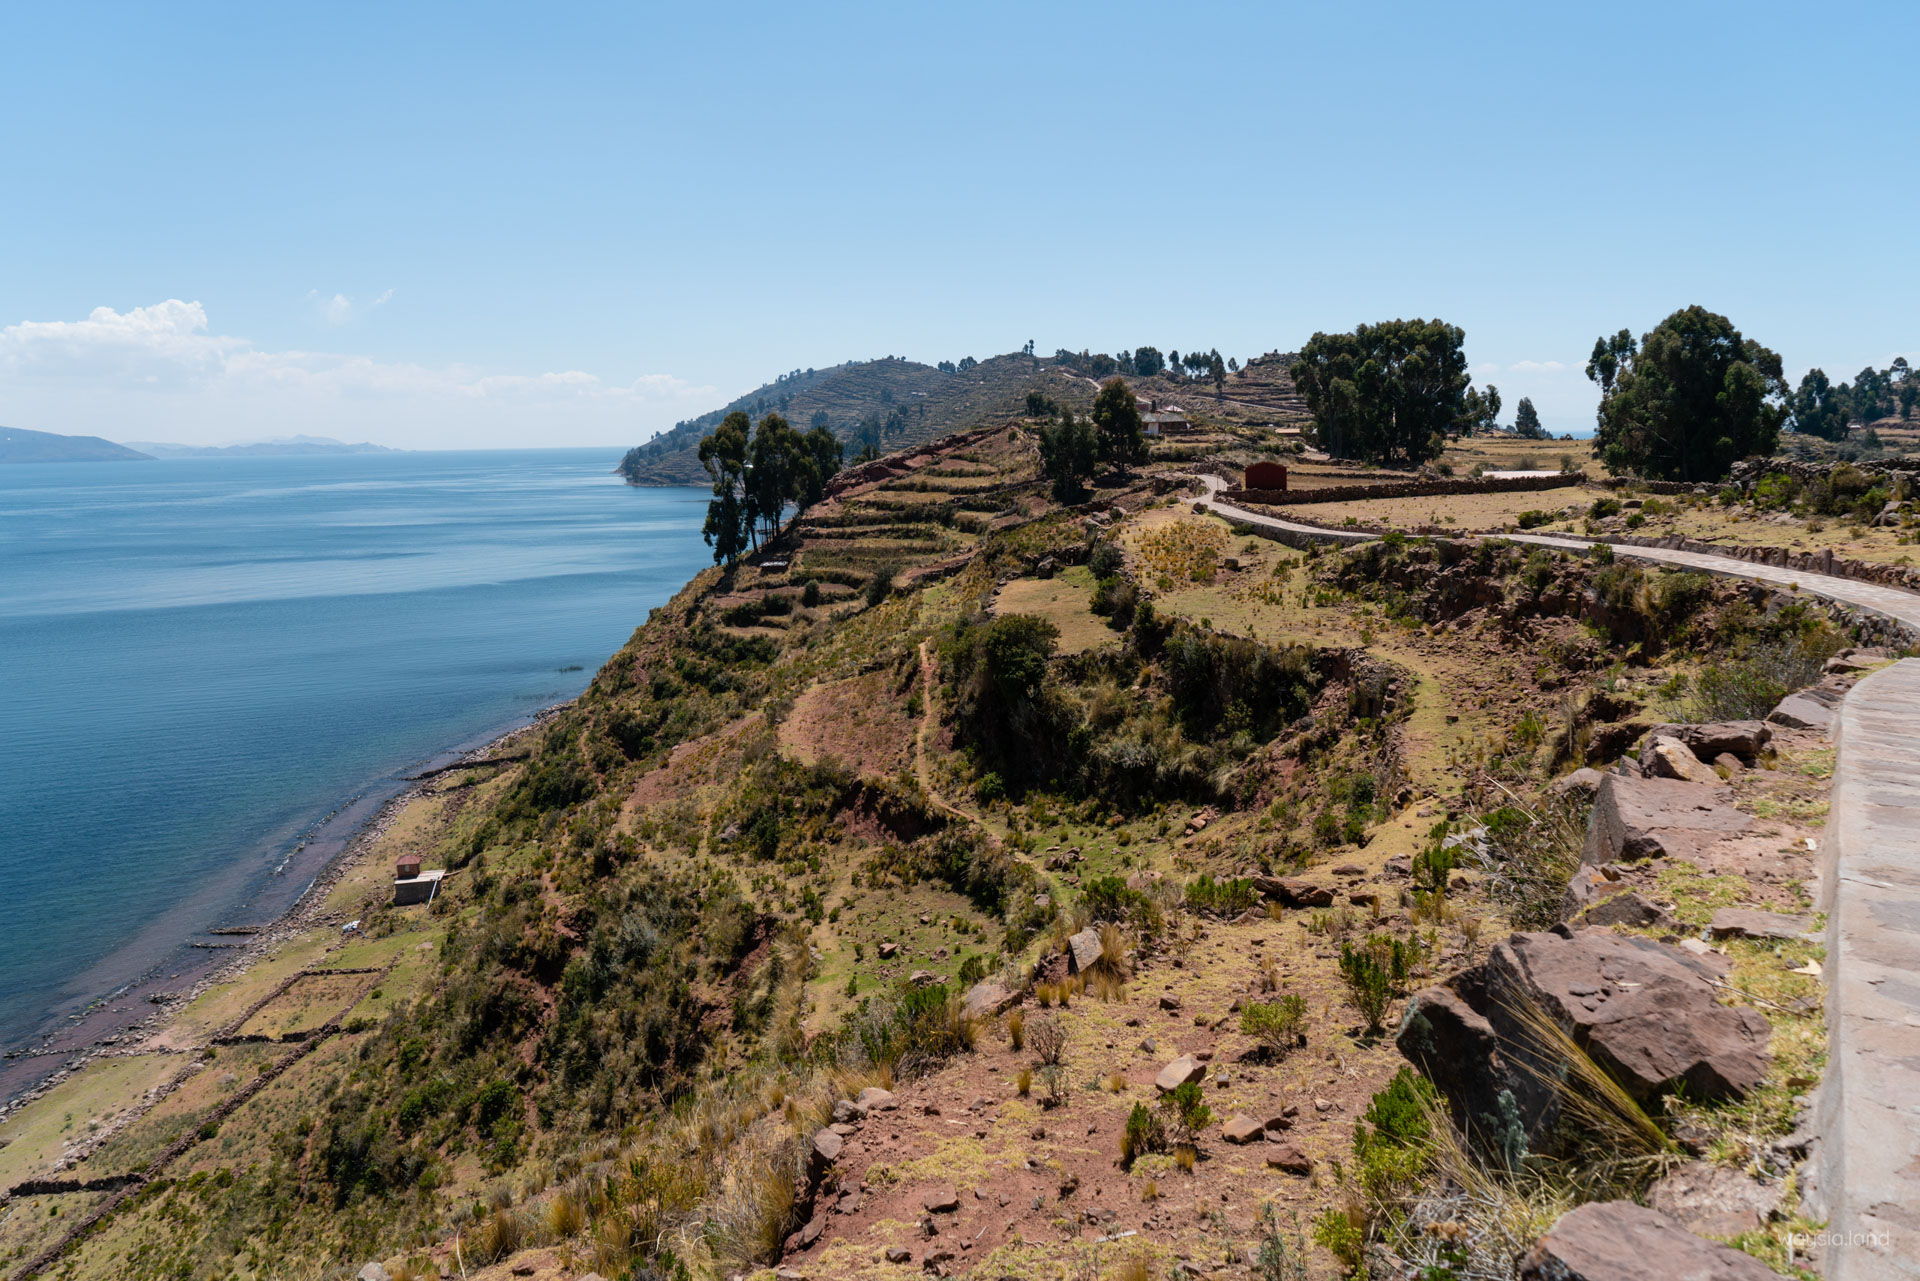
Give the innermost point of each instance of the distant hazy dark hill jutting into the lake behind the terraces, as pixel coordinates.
(905, 402)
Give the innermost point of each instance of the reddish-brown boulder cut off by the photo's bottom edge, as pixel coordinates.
(1621, 1242)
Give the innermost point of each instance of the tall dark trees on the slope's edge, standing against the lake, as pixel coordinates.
(757, 475)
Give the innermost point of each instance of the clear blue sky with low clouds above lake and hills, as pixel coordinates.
(485, 226)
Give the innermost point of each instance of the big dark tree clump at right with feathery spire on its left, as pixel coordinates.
(1689, 400)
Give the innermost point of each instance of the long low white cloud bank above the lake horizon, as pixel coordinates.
(160, 364)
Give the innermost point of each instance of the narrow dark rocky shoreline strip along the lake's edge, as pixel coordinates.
(112, 1030)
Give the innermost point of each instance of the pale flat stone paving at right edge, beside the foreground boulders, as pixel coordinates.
(1869, 1109)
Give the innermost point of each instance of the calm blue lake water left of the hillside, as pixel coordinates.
(206, 658)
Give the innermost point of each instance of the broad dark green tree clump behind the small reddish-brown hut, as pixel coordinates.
(1389, 393)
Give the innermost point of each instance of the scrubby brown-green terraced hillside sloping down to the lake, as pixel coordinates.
(969, 886)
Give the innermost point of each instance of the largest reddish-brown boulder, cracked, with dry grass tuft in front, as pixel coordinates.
(1646, 1013)
